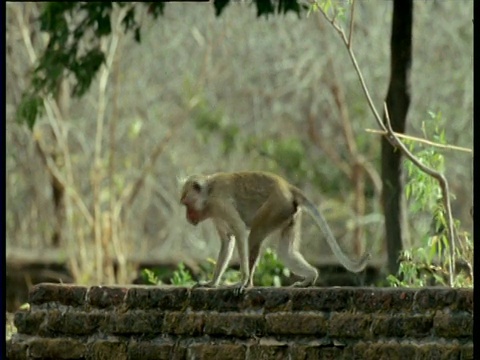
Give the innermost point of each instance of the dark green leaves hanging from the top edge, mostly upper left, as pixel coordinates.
(75, 30)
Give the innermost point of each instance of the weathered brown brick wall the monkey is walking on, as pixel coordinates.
(145, 322)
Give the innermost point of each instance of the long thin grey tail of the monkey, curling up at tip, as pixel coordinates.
(353, 266)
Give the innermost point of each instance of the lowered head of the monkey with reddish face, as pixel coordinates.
(194, 197)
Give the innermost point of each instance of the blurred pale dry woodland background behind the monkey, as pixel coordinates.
(93, 188)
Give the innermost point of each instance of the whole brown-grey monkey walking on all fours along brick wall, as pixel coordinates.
(261, 202)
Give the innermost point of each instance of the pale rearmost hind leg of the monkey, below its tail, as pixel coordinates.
(289, 252)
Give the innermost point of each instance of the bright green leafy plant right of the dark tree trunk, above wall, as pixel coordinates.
(428, 263)
